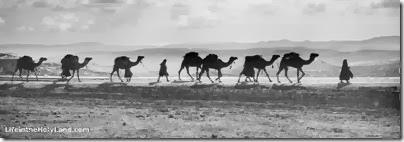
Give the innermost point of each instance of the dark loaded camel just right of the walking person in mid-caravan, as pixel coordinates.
(191, 59)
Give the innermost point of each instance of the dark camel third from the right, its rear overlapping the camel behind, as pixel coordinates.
(212, 61)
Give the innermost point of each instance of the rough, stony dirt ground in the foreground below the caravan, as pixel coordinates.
(120, 111)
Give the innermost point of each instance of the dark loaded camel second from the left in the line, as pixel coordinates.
(70, 62)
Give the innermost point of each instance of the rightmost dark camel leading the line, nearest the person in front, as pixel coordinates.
(293, 60)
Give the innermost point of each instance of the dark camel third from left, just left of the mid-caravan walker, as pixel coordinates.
(123, 62)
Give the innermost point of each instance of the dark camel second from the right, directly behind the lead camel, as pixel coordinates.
(260, 63)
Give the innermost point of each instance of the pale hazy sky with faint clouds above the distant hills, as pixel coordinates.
(180, 21)
